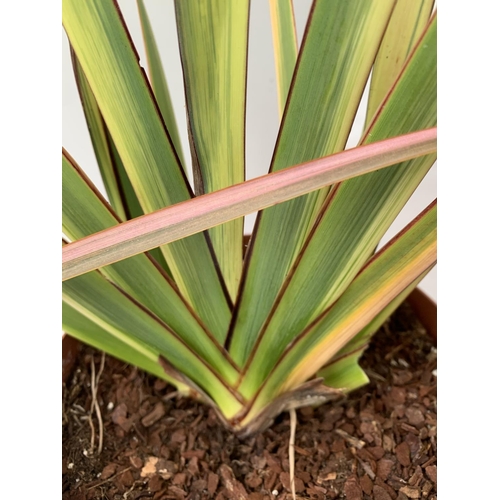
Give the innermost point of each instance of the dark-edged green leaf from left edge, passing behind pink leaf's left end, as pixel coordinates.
(85, 213)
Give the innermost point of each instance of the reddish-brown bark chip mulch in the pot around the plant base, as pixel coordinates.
(379, 444)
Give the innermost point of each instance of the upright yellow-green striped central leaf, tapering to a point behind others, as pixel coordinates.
(213, 43)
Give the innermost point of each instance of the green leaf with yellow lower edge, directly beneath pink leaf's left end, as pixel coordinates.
(104, 304)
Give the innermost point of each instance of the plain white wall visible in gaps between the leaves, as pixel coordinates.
(262, 117)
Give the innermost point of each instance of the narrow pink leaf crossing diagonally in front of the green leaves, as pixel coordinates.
(201, 213)
